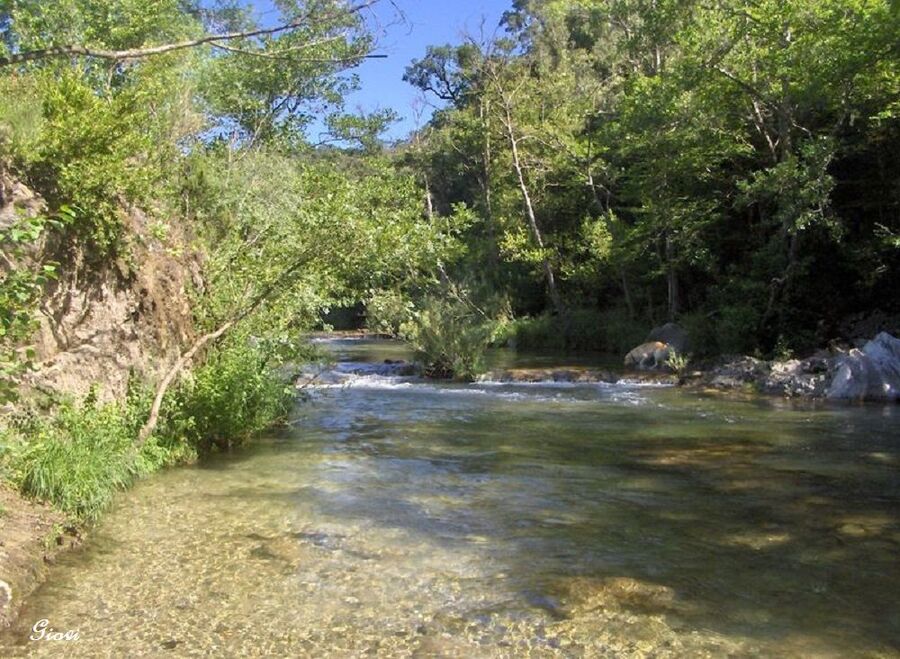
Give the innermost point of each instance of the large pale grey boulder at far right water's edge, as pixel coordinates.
(872, 373)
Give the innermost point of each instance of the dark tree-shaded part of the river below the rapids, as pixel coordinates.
(777, 524)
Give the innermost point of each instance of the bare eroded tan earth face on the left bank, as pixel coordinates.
(98, 323)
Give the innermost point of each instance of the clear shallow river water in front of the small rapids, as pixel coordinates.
(399, 518)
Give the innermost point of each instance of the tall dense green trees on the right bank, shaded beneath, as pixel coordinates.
(726, 159)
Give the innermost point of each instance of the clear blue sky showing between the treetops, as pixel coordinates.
(427, 22)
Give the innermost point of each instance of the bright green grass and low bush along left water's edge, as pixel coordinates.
(80, 456)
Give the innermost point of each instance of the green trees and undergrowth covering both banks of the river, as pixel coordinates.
(594, 167)
